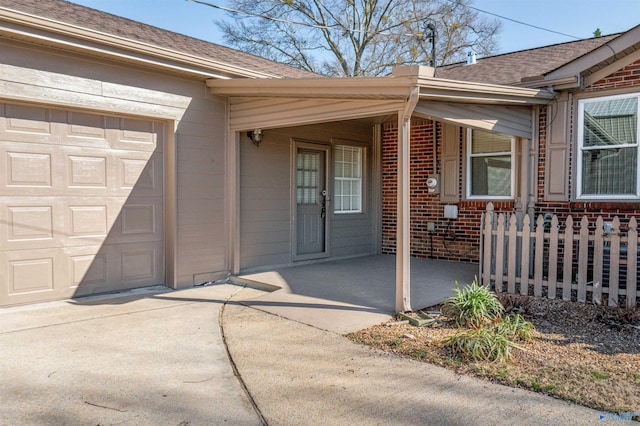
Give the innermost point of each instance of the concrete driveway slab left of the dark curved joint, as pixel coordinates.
(146, 359)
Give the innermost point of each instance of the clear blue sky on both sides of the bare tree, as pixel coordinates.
(577, 18)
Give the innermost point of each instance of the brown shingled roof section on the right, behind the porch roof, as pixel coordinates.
(512, 68)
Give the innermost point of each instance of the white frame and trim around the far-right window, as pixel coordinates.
(580, 143)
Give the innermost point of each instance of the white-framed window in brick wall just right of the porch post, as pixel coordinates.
(490, 165)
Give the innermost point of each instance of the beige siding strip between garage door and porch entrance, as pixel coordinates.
(201, 178)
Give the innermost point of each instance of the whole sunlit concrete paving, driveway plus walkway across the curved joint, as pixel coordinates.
(160, 358)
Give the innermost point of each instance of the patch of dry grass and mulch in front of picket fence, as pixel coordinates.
(582, 353)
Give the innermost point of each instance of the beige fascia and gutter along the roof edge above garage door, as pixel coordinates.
(30, 27)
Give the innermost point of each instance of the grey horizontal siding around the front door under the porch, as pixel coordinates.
(265, 197)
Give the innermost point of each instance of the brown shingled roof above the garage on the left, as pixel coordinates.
(84, 17)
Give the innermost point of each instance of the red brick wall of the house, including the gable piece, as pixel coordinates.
(458, 239)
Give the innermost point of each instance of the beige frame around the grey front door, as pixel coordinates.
(315, 146)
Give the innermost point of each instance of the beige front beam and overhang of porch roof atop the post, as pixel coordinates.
(269, 103)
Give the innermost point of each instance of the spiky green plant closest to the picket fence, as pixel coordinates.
(473, 306)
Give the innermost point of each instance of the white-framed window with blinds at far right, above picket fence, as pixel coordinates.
(608, 147)
